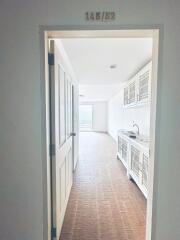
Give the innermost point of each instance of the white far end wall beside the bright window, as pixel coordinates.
(99, 116)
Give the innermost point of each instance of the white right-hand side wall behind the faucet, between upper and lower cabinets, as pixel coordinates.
(120, 117)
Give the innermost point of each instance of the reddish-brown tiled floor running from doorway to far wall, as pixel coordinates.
(103, 204)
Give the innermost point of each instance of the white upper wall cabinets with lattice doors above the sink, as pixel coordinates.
(138, 89)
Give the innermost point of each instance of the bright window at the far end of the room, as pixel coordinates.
(85, 117)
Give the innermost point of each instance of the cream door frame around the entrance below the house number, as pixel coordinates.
(154, 31)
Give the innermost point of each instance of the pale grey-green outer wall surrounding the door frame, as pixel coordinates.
(21, 183)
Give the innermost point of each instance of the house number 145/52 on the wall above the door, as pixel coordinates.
(100, 16)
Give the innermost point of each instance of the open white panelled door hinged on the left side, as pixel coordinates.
(61, 136)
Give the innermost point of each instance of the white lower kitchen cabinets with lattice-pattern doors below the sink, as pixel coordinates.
(135, 158)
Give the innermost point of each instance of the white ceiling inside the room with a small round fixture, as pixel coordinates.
(91, 59)
